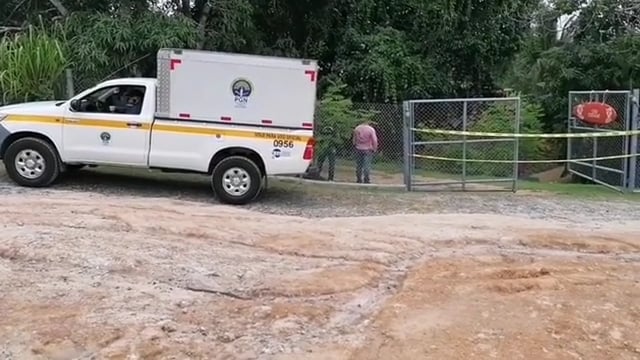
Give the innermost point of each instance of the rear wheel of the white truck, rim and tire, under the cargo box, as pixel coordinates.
(236, 180)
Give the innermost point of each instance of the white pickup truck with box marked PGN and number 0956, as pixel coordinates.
(236, 118)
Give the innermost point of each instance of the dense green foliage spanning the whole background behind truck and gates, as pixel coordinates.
(383, 51)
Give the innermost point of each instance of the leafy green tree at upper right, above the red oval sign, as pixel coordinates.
(597, 49)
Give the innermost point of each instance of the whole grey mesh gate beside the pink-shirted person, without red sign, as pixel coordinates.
(451, 161)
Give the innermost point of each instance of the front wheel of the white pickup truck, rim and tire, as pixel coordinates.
(32, 162)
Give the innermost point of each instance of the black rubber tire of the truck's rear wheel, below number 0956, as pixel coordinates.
(245, 167)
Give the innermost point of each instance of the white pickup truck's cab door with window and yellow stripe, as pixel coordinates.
(110, 125)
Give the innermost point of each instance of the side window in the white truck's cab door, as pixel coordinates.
(120, 99)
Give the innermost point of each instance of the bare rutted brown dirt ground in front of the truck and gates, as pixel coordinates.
(120, 277)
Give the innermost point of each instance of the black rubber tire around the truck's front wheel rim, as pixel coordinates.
(43, 151)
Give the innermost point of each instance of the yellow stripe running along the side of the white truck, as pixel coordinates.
(171, 128)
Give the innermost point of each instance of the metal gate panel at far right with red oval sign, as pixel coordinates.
(618, 173)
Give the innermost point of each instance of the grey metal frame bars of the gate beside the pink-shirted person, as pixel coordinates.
(410, 143)
